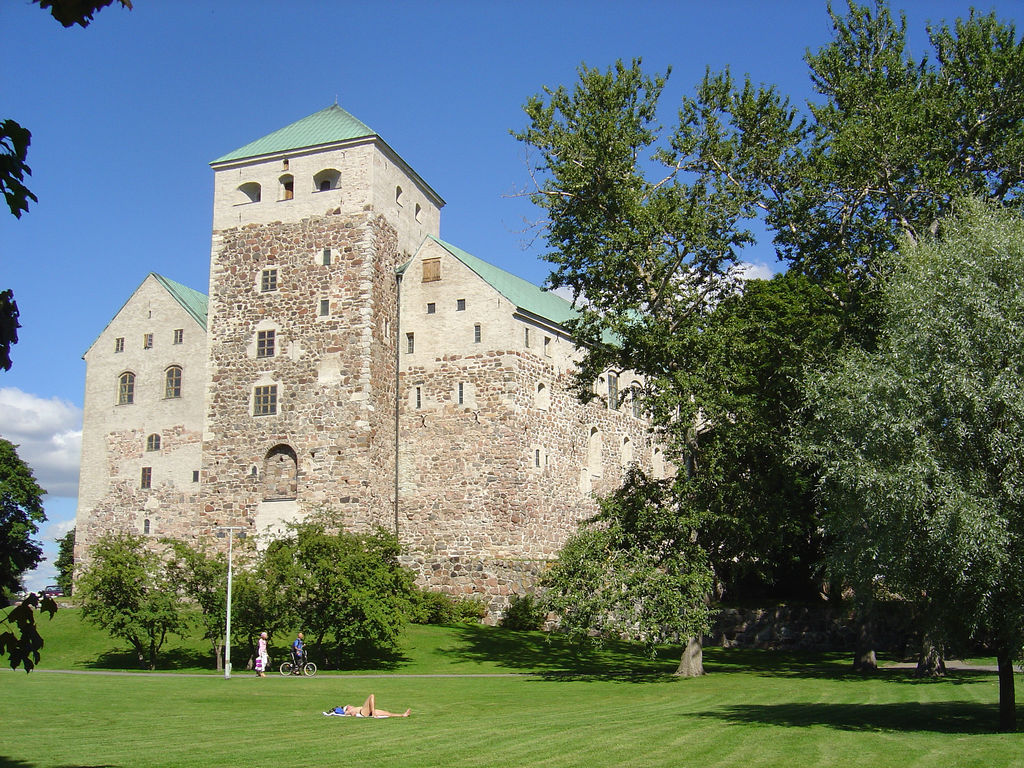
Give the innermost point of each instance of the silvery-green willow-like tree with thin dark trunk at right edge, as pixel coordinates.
(920, 444)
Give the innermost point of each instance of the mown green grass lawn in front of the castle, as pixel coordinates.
(614, 708)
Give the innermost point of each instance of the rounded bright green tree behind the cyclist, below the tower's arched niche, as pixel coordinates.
(346, 587)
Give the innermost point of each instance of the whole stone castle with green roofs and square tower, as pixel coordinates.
(348, 359)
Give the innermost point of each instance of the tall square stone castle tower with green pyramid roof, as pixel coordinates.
(310, 227)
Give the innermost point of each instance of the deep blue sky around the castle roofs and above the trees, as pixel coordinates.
(127, 114)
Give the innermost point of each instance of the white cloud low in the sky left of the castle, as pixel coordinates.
(49, 436)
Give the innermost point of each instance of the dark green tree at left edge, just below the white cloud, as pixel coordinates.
(21, 515)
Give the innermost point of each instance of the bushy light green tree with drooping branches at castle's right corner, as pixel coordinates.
(635, 571)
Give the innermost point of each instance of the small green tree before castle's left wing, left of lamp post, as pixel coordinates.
(126, 589)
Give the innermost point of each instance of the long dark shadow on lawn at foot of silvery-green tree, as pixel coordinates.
(937, 717)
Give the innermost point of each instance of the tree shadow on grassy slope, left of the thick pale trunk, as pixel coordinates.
(554, 657)
